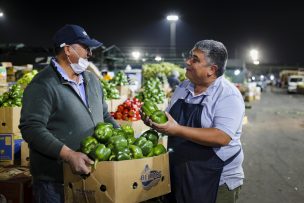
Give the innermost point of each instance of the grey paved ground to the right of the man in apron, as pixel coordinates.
(273, 143)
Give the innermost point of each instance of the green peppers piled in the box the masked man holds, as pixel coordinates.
(110, 144)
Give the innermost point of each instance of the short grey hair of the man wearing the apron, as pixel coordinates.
(215, 52)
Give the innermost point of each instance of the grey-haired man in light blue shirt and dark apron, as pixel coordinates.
(204, 128)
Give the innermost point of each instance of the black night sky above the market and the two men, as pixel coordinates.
(275, 29)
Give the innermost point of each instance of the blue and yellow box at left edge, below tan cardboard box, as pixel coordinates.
(10, 148)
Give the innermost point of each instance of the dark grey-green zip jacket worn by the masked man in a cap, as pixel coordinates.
(54, 115)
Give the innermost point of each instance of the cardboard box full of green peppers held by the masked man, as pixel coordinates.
(126, 169)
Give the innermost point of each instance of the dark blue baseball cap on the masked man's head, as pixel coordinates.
(74, 34)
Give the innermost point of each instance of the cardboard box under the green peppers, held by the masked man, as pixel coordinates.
(120, 181)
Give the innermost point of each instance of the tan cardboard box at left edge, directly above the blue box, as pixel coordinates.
(9, 119)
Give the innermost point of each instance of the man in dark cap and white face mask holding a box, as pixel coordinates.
(61, 106)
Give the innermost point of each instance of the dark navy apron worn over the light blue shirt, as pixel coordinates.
(195, 169)
